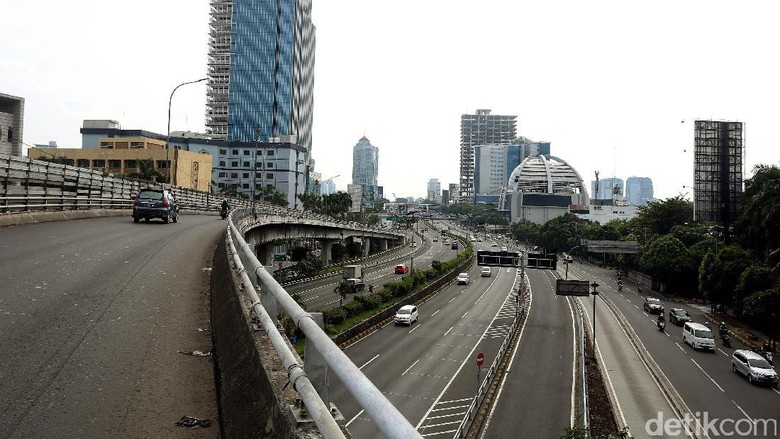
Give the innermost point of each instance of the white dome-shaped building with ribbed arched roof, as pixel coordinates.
(543, 188)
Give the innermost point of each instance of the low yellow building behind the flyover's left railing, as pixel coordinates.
(121, 155)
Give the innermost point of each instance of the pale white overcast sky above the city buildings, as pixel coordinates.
(613, 85)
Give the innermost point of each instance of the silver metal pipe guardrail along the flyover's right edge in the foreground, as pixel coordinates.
(389, 420)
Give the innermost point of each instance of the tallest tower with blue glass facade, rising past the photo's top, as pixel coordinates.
(261, 72)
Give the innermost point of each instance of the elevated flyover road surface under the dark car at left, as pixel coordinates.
(94, 314)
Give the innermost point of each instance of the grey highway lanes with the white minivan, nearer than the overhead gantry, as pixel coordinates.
(428, 371)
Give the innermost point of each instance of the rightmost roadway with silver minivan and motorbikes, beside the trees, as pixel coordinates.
(704, 380)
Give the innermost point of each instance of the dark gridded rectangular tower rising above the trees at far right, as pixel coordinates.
(718, 170)
